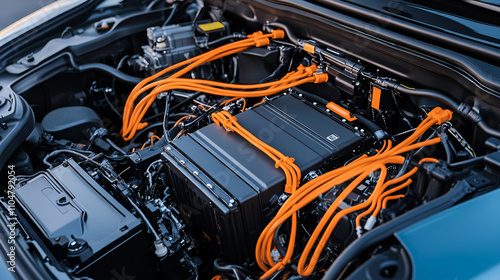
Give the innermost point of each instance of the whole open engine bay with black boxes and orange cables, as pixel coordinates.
(180, 140)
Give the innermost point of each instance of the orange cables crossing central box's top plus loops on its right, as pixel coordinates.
(358, 169)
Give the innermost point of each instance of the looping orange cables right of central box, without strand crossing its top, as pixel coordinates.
(357, 170)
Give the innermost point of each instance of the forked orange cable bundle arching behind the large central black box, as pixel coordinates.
(133, 113)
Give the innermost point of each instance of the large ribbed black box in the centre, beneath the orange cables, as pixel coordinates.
(224, 185)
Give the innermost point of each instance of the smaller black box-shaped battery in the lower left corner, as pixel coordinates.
(83, 229)
